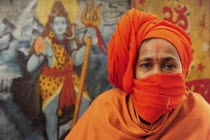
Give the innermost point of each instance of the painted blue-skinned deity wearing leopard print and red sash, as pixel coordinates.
(56, 52)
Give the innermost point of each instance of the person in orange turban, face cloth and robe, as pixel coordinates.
(148, 62)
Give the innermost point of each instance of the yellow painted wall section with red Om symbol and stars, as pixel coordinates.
(193, 17)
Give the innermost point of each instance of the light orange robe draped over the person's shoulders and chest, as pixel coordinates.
(112, 117)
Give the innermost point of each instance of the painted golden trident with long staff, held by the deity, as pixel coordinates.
(93, 21)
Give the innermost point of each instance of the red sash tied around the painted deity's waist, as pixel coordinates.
(67, 96)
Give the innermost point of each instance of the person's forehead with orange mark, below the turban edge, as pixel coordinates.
(157, 47)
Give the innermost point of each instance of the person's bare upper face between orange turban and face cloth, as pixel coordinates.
(157, 56)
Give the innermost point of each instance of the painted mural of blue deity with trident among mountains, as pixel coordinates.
(52, 52)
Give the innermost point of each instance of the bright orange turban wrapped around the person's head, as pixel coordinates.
(131, 30)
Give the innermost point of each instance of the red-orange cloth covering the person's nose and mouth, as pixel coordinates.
(158, 94)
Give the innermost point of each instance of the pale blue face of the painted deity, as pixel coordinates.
(59, 25)
